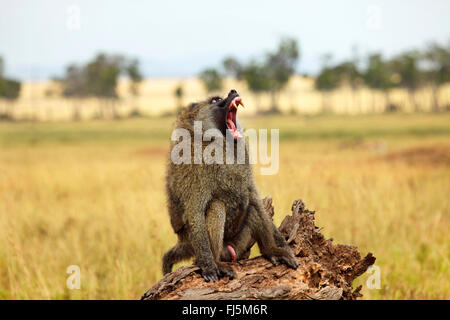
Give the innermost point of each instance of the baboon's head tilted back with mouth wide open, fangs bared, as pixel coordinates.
(216, 112)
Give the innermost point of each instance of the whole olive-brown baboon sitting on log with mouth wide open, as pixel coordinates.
(215, 209)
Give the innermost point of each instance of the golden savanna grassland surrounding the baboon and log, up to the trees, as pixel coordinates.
(92, 194)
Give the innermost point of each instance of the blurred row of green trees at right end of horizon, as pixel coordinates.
(410, 70)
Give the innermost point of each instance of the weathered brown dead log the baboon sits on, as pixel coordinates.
(326, 271)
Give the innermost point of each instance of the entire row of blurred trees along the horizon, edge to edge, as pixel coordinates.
(268, 74)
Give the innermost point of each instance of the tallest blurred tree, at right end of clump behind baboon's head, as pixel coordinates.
(280, 67)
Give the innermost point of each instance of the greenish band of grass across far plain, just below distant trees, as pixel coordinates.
(291, 128)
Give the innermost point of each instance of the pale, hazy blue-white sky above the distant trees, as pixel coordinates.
(39, 38)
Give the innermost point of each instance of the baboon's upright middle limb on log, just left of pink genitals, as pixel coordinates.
(215, 224)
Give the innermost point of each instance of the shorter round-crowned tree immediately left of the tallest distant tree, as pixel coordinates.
(257, 79)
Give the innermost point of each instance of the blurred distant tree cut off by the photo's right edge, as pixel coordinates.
(438, 72)
